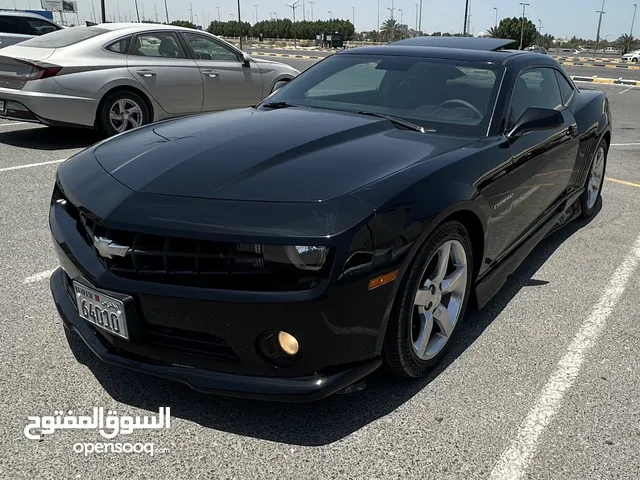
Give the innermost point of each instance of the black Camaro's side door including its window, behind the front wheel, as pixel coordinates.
(543, 160)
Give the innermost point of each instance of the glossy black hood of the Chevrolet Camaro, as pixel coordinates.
(287, 155)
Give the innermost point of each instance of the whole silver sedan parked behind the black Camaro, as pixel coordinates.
(115, 77)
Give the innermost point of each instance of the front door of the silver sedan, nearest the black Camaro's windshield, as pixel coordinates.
(228, 83)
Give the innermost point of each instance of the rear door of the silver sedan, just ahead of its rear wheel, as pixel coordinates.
(159, 62)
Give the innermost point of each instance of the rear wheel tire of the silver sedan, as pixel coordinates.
(133, 116)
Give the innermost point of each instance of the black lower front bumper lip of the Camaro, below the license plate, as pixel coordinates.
(294, 389)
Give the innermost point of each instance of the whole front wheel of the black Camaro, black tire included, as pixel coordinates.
(402, 341)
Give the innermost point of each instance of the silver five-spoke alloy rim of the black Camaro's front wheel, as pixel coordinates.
(439, 299)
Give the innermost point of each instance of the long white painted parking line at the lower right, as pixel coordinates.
(515, 460)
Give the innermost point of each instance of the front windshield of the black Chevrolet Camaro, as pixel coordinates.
(450, 97)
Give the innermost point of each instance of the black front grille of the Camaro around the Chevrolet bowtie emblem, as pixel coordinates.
(191, 262)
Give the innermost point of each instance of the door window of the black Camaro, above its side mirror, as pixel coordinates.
(535, 87)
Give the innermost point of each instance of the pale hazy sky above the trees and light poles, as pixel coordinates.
(561, 18)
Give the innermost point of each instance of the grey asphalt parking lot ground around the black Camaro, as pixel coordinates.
(541, 384)
